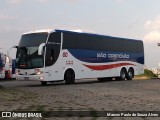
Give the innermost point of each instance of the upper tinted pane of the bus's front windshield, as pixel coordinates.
(34, 39)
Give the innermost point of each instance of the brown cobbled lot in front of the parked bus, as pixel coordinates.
(135, 95)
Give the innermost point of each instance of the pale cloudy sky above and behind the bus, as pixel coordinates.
(136, 19)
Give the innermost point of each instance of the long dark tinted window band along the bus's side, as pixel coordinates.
(97, 42)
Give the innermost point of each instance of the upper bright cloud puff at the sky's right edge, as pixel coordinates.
(154, 24)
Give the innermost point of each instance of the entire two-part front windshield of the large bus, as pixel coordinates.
(27, 53)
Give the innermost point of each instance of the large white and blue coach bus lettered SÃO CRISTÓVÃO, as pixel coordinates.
(57, 55)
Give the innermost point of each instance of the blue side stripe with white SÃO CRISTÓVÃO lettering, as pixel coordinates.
(93, 56)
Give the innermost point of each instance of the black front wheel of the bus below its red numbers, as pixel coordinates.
(69, 77)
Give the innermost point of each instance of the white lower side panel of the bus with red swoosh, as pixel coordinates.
(67, 61)
